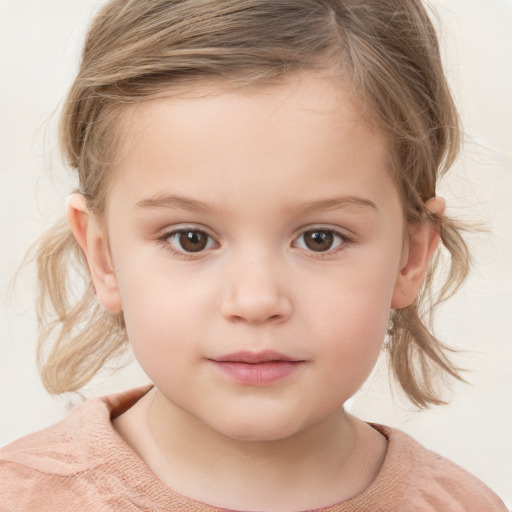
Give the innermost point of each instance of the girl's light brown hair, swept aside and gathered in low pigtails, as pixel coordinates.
(386, 53)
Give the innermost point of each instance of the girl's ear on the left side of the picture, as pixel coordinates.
(93, 241)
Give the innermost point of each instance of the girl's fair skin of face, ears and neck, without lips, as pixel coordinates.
(267, 164)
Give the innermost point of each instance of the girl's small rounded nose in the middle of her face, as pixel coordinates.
(256, 294)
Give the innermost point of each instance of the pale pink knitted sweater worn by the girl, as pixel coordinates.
(82, 464)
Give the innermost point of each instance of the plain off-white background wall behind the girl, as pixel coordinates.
(39, 47)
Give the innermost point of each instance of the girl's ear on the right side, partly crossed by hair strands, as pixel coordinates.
(423, 240)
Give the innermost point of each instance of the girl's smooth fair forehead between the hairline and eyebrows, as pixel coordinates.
(255, 143)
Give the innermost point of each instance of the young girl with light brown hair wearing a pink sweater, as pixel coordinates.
(257, 213)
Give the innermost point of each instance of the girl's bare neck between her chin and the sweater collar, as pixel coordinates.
(329, 462)
